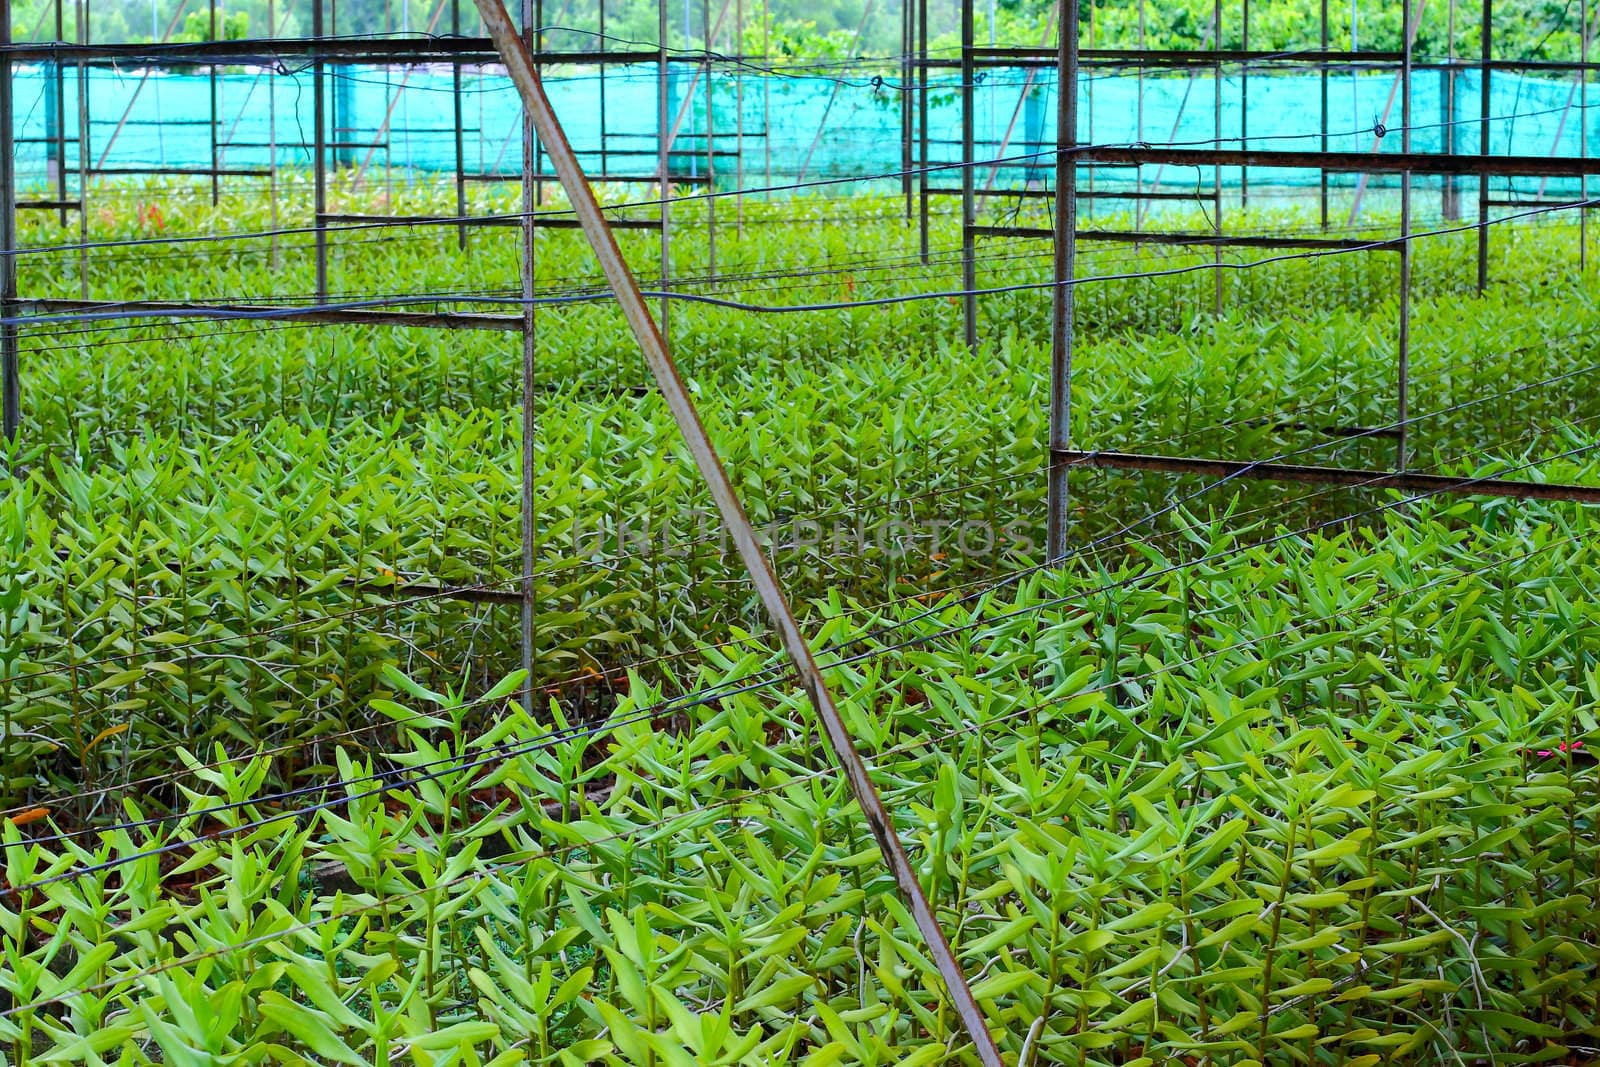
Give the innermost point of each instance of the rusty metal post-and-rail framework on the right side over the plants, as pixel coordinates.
(1065, 233)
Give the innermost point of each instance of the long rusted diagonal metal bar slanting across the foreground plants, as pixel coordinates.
(526, 78)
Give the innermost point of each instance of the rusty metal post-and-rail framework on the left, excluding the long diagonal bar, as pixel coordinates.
(329, 57)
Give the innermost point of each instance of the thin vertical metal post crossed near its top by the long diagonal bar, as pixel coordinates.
(529, 380)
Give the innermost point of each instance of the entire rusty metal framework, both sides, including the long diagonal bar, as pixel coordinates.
(521, 50)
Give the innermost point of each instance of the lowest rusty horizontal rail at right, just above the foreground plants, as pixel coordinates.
(1332, 476)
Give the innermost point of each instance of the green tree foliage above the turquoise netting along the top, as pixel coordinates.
(1524, 30)
